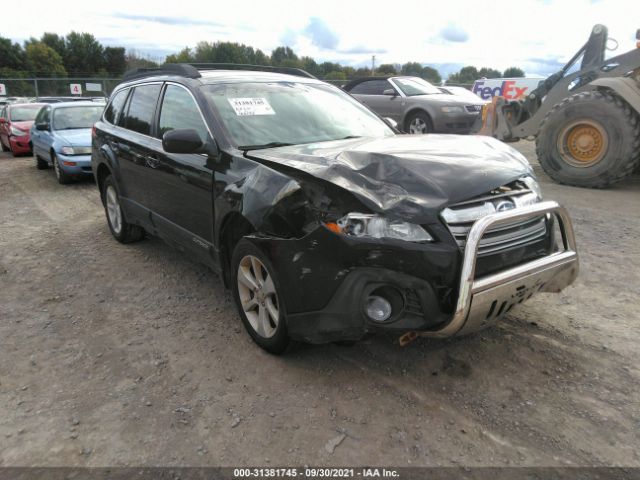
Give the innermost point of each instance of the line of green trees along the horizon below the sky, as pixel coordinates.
(82, 55)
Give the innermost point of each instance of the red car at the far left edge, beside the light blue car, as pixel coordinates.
(15, 121)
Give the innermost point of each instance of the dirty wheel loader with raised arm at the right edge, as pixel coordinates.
(585, 118)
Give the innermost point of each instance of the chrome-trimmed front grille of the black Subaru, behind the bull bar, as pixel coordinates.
(461, 217)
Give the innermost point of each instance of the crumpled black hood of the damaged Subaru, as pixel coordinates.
(411, 177)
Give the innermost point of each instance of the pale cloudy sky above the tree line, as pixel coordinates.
(537, 36)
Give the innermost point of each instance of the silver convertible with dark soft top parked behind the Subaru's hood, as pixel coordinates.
(416, 105)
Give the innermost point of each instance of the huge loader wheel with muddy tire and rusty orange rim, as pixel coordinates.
(616, 144)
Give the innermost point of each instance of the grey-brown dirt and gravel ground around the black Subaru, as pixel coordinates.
(134, 355)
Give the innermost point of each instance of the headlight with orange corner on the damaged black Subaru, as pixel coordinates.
(364, 225)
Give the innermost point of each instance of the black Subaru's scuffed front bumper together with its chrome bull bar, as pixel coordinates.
(326, 280)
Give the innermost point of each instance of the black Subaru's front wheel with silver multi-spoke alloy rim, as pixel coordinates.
(256, 294)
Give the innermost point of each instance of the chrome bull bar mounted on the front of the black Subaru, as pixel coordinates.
(483, 301)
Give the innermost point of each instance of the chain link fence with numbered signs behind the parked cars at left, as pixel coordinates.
(57, 87)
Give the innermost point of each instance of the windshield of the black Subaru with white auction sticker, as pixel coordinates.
(288, 113)
